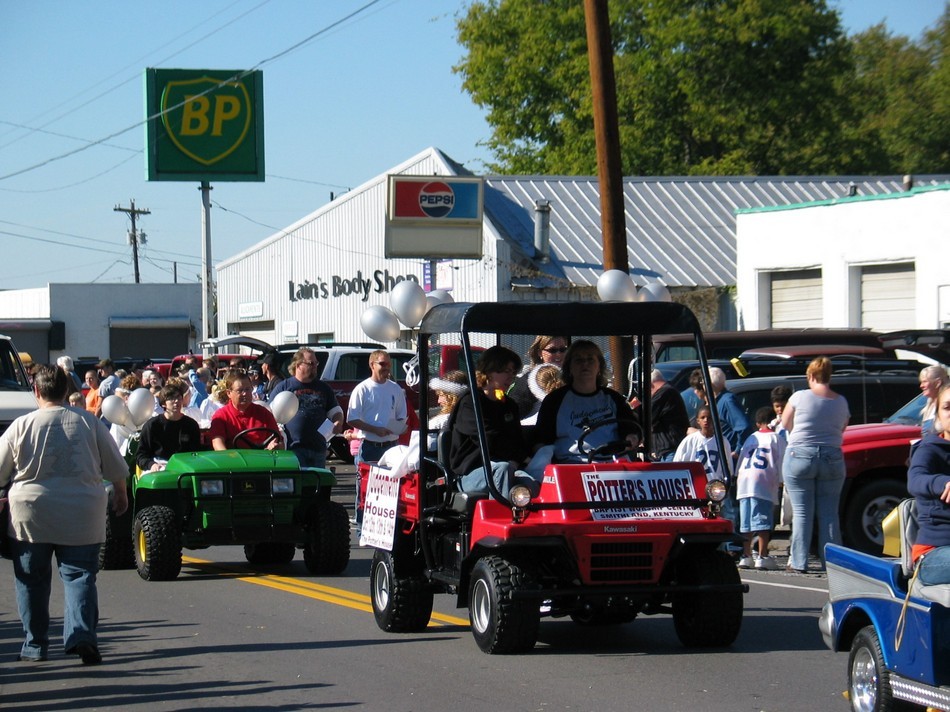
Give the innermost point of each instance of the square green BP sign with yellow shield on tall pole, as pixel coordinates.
(204, 125)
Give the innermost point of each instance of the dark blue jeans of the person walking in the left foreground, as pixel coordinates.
(33, 566)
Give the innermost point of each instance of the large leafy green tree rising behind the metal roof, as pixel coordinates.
(703, 87)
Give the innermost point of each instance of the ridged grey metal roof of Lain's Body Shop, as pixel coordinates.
(680, 230)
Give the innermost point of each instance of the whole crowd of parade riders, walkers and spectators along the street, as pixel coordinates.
(556, 409)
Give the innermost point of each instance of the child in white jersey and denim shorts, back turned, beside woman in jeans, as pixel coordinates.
(758, 475)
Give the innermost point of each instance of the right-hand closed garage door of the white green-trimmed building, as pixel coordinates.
(887, 296)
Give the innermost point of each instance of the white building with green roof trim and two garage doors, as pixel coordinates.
(874, 262)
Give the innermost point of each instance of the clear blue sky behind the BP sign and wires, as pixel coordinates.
(344, 107)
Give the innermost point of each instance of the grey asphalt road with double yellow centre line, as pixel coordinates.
(223, 636)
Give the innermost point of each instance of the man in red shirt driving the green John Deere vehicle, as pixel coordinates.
(242, 413)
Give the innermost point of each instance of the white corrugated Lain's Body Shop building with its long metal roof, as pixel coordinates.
(313, 280)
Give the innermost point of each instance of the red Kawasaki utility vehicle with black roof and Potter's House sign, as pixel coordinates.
(603, 541)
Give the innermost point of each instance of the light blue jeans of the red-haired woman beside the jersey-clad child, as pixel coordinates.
(814, 476)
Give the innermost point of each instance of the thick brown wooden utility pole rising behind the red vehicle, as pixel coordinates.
(610, 174)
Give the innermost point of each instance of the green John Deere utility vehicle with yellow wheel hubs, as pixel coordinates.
(262, 499)
